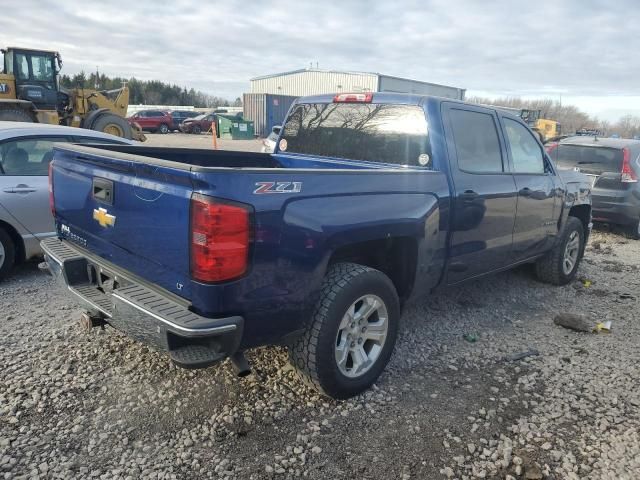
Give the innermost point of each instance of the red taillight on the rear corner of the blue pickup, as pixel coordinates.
(219, 239)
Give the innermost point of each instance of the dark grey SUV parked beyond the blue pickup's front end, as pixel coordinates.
(613, 165)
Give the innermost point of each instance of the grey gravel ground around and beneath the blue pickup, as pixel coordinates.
(98, 405)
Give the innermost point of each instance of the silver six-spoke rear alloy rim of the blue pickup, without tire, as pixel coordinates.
(362, 334)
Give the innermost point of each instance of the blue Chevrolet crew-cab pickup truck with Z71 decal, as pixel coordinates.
(368, 200)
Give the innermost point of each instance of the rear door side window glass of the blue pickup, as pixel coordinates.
(476, 140)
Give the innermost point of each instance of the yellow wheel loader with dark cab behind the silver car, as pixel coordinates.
(30, 92)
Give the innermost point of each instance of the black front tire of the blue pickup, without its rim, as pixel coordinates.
(549, 268)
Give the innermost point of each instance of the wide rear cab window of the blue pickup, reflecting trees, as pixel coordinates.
(396, 134)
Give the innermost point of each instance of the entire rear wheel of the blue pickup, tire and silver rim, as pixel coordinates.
(352, 334)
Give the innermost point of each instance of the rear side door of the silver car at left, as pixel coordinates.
(24, 186)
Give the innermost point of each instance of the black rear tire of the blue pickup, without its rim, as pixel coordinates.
(313, 354)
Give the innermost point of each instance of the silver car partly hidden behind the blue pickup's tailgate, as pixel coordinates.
(25, 216)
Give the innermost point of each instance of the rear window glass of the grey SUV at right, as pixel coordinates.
(593, 160)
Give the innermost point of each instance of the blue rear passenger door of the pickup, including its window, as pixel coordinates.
(484, 193)
